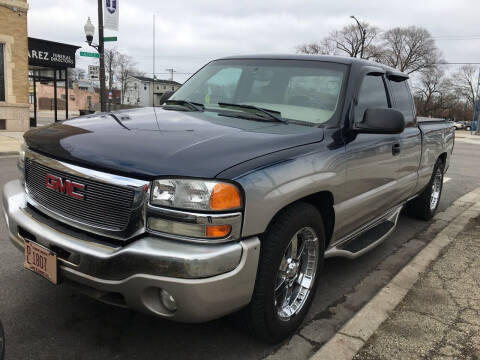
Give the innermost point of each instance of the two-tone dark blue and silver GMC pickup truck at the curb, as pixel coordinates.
(229, 197)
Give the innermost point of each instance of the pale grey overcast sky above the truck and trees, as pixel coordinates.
(192, 32)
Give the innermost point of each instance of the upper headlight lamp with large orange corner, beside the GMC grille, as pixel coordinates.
(196, 195)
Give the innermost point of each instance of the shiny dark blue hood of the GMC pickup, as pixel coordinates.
(147, 143)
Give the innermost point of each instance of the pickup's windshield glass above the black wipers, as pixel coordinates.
(302, 91)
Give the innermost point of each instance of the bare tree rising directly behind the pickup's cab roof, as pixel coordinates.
(347, 41)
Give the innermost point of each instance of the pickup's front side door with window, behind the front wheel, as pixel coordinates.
(372, 162)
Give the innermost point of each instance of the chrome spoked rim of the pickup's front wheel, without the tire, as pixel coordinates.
(296, 274)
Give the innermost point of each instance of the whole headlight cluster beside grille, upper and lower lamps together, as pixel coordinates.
(171, 200)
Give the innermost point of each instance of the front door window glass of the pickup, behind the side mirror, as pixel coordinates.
(372, 94)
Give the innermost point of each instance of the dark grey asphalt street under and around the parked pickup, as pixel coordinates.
(42, 321)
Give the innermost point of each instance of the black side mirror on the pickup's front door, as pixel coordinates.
(381, 121)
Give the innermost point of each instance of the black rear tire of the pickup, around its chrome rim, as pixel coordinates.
(420, 207)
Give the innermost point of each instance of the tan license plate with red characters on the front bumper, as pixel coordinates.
(41, 260)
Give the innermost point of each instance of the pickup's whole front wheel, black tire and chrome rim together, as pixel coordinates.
(287, 278)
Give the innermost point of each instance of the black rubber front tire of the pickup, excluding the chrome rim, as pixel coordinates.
(261, 314)
